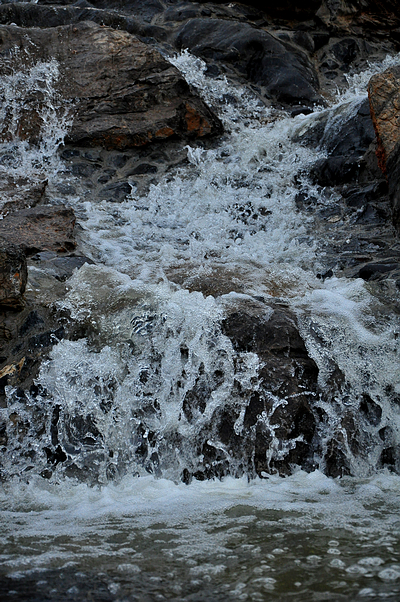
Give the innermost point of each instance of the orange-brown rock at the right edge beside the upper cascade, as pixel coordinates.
(384, 98)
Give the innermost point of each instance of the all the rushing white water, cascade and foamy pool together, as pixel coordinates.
(220, 230)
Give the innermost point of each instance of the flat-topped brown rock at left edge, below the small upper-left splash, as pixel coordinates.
(42, 228)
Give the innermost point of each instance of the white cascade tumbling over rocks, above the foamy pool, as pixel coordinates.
(157, 386)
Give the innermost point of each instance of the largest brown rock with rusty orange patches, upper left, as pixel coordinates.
(124, 93)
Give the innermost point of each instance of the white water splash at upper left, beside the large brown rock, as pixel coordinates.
(34, 120)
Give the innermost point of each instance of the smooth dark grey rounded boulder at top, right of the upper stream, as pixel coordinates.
(284, 71)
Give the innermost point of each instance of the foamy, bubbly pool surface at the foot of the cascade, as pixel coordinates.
(304, 537)
